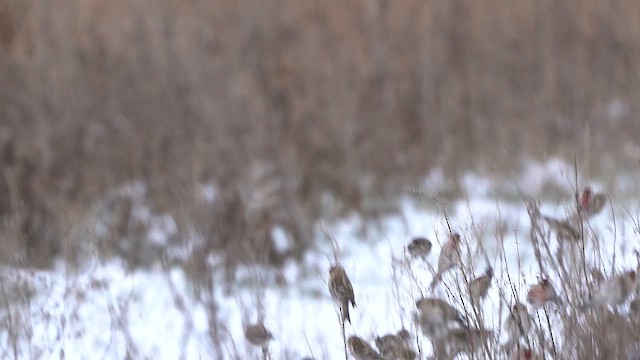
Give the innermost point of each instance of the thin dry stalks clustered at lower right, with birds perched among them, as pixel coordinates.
(562, 330)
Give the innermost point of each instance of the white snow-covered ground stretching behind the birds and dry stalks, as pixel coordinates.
(105, 311)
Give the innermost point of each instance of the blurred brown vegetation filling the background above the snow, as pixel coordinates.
(293, 111)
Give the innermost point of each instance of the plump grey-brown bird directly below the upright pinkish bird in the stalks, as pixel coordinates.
(435, 315)
